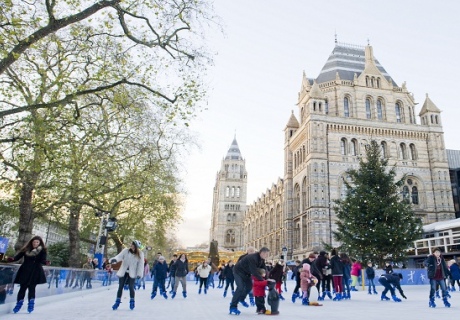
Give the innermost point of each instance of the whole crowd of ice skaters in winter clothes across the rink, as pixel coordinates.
(333, 275)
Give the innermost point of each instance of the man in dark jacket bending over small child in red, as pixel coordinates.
(243, 269)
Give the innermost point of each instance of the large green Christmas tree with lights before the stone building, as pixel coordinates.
(374, 221)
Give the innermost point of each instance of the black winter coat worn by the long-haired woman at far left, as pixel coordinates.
(31, 270)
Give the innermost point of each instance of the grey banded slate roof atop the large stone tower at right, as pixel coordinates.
(346, 60)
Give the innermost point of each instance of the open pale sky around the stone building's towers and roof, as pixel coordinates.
(258, 70)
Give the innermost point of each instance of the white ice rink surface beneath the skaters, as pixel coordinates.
(96, 304)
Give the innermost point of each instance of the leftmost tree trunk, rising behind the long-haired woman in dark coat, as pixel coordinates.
(26, 215)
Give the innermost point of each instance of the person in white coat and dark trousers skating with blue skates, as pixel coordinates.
(132, 268)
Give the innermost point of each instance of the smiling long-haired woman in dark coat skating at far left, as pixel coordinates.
(31, 272)
